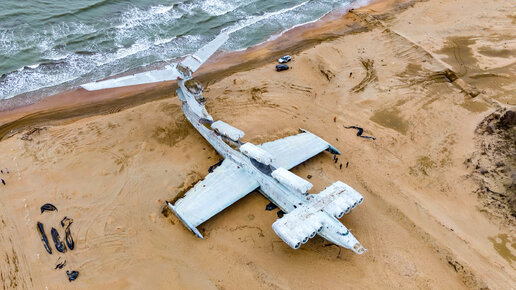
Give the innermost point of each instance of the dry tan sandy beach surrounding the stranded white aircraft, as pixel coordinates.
(427, 220)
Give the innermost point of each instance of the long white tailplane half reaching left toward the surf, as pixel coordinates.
(153, 76)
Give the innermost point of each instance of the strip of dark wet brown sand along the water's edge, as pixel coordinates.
(79, 103)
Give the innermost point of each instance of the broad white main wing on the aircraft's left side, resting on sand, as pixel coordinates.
(221, 188)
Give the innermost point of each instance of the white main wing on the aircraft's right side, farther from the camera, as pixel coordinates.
(293, 150)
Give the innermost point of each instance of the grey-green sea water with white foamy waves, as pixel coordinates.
(47, 46)
